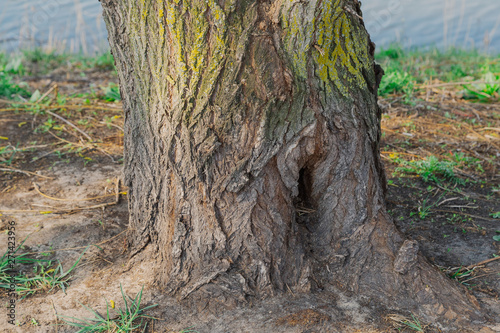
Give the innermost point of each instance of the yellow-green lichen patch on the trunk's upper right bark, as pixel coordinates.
(326, 31)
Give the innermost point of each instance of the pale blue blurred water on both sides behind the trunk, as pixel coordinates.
(77, 25)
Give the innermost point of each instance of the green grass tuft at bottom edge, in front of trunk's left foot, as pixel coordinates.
(127, 319)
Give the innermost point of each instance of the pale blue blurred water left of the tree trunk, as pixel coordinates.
(74, 26)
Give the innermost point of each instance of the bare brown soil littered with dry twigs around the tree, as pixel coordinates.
(453, 224)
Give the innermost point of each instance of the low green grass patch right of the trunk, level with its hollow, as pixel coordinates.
(431, 169)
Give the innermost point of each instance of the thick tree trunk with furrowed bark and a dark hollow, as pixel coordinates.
(252, 153)
